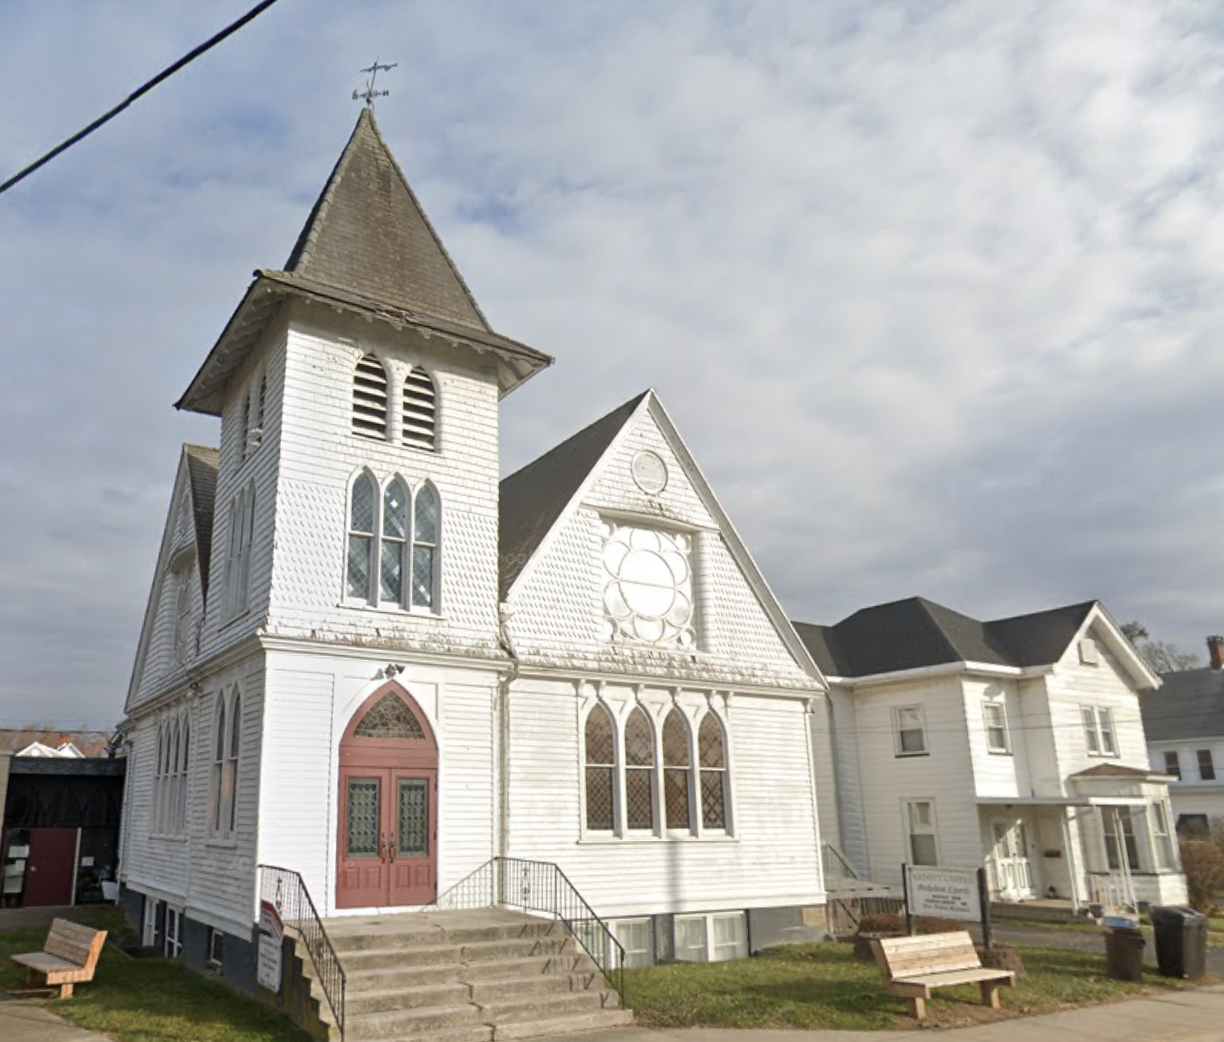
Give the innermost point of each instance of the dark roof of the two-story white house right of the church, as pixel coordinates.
(916, 632)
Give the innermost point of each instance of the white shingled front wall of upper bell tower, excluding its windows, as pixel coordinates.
(319, 457)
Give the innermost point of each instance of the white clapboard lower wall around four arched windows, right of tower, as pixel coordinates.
(772, 860)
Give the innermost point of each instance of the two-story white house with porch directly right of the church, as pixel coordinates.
(1017, 744)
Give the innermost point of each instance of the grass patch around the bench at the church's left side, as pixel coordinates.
(150, 1000)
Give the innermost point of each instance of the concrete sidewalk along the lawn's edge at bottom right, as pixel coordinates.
(1178, 1017)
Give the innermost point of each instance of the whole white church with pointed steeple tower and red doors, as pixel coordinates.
(369, 661)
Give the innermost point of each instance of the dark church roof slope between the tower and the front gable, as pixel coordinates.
(532, 499)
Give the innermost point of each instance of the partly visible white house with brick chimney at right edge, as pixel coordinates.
(1184, 723)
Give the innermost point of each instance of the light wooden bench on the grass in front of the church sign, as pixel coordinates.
(914, 967)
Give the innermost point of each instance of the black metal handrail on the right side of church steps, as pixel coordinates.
(542, 887)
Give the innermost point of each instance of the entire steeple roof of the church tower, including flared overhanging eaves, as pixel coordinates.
(367, 249)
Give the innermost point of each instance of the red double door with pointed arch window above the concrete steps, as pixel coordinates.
(387, 852)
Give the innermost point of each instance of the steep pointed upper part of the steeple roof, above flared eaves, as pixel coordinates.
(368, 233)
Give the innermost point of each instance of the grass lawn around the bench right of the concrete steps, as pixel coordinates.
(823, 986)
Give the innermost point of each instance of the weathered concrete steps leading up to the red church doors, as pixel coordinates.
(467, 978)
